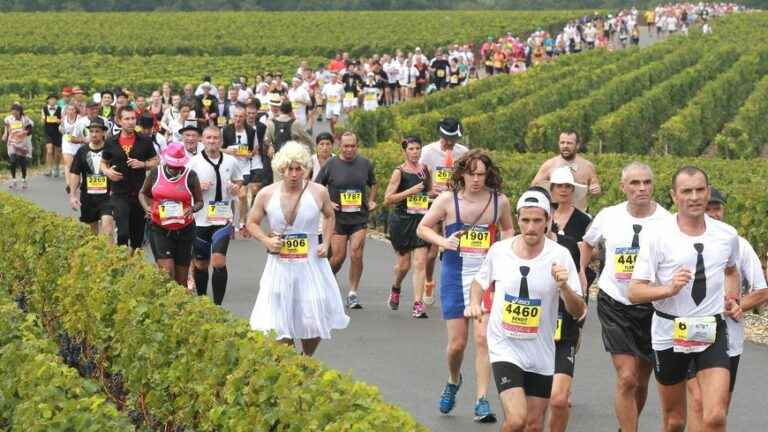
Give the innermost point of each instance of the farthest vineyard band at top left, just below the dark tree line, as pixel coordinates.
(319, 34)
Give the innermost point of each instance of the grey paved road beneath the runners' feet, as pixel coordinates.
(405, 357)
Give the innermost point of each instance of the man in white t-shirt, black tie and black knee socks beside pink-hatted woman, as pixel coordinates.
(220, 181)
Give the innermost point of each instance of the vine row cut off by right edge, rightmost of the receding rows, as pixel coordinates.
(745, 136)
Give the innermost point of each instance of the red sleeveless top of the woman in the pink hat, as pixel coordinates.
(170, 197)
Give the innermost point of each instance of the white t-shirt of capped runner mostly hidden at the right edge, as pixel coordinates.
(752, 279)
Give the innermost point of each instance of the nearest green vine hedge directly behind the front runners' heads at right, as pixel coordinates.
(742, 181)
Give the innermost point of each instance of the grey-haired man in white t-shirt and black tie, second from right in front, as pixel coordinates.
(626, 328)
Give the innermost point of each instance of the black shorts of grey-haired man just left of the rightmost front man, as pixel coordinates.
(626, 328)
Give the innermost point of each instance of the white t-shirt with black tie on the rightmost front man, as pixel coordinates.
(665, 249)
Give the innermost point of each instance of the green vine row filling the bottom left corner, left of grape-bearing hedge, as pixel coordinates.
(37, 391)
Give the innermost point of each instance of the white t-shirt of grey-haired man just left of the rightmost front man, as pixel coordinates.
(615, 226)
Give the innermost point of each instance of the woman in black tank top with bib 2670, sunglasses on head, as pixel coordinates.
(407, 192)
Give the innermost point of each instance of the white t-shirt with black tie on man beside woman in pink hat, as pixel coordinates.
(229, 171)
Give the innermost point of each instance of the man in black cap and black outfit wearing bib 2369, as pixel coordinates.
(85, 175)
